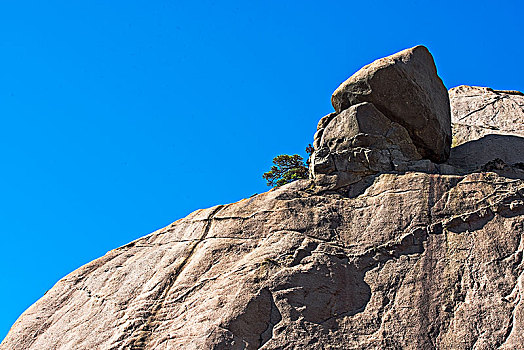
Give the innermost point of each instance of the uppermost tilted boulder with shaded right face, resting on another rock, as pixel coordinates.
(405, 87)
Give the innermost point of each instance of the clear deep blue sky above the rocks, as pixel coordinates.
(119, 117)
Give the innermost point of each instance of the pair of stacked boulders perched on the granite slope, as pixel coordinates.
(393, 115)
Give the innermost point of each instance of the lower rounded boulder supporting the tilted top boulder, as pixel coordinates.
(358, 142)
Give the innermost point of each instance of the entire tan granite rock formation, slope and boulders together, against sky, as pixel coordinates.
(381, 249)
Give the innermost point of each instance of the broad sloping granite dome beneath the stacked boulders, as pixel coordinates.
(419, 261)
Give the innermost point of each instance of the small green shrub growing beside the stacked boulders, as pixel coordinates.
(286, 169)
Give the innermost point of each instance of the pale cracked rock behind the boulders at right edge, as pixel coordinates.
(487, 125)
